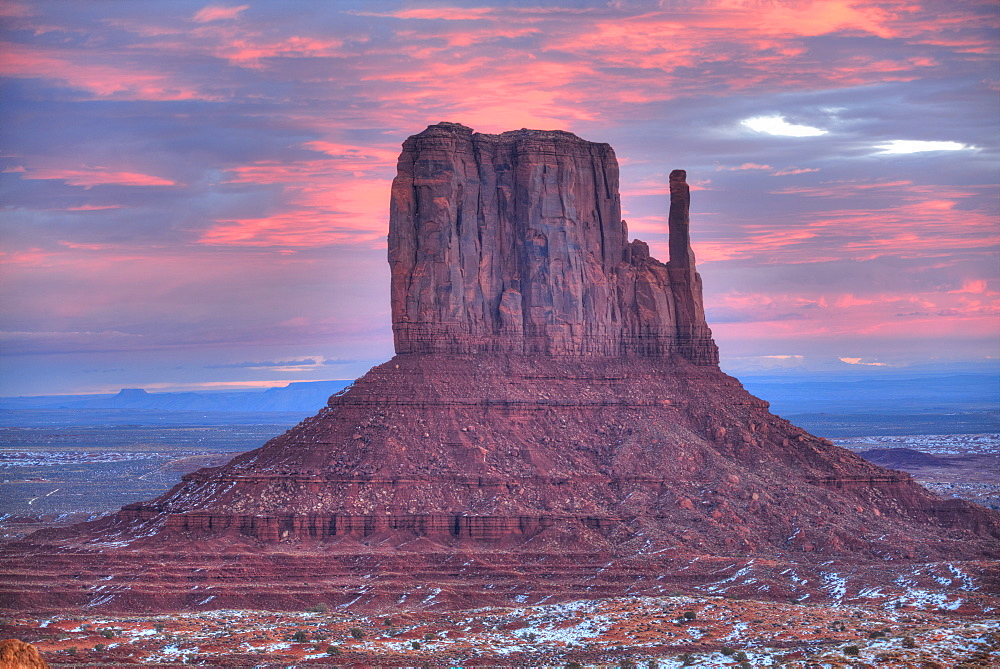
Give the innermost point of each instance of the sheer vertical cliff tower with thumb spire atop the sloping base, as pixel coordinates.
(514, 243)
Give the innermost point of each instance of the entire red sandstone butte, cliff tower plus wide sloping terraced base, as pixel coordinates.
(554, 426)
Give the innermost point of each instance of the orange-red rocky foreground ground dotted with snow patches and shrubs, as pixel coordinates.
(639, 631)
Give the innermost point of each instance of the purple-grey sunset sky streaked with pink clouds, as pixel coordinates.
(195, 195)
